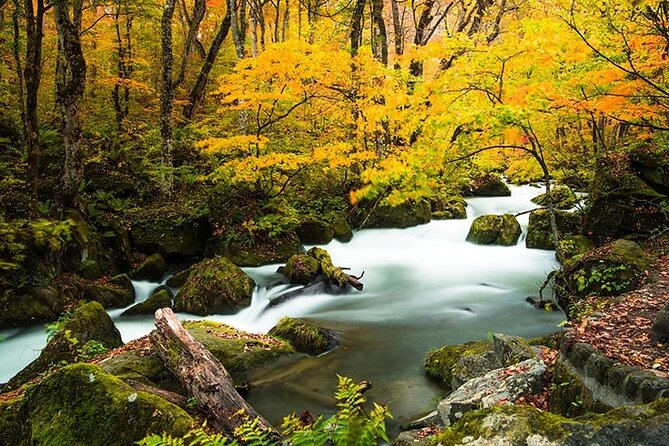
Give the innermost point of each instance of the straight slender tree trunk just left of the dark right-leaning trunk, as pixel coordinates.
(166, 99)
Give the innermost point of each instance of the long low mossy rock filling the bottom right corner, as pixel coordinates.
(520, 425)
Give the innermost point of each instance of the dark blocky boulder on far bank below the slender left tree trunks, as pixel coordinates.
(170, 234)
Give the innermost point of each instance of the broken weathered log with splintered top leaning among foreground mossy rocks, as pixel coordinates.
(202, 375)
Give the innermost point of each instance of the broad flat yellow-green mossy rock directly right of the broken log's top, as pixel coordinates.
(238, 351)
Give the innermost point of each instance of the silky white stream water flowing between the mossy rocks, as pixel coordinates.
(424, 287)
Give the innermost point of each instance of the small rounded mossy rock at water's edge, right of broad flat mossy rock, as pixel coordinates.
(305, 336)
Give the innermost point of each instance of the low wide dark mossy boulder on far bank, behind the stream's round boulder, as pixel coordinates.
(262, 250)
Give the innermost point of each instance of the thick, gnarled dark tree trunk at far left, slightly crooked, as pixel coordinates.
(70, 92)
